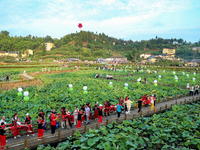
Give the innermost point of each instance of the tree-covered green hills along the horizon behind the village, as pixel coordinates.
(100, 42)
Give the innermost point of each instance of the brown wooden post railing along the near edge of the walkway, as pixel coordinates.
(60, 136)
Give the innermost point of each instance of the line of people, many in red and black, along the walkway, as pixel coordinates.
(77, 117)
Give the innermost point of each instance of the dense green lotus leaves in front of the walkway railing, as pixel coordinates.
(177, 129)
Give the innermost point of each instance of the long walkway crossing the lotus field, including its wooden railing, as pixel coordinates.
(62, 134)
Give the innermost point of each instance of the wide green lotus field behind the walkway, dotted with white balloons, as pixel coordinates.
(56, 92)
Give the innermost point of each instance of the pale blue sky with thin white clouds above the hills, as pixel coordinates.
(123, 19)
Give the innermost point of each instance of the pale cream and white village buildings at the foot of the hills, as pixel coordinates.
(146, 58)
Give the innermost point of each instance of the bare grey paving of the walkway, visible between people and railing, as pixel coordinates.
(94, 122)
